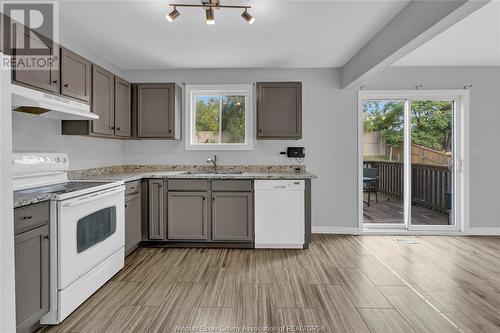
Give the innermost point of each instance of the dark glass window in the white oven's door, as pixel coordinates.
(95, 228)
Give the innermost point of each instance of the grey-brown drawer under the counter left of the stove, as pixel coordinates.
(29, 217)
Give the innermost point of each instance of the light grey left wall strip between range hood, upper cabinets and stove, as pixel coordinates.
(35, 133)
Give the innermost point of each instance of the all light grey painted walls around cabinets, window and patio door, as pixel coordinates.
(329, 132)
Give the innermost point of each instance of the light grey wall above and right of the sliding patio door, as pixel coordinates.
(484, 134)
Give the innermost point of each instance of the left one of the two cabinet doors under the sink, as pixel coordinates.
(187, 216)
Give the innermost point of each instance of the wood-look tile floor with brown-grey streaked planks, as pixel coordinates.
(337, 285)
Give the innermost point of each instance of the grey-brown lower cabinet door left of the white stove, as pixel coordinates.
(32, 276)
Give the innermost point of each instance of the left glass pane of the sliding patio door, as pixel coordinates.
(383, 156)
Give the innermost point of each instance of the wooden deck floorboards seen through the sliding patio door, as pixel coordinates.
(390, 210)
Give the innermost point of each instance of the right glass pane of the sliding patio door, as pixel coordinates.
(431, 162)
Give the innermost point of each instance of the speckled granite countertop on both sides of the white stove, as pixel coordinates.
(133, 173)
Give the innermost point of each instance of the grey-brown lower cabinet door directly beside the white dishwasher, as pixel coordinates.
(232, 216)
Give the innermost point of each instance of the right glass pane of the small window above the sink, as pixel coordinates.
(233, 119)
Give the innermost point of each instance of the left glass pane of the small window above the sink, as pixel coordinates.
(207, 119)
